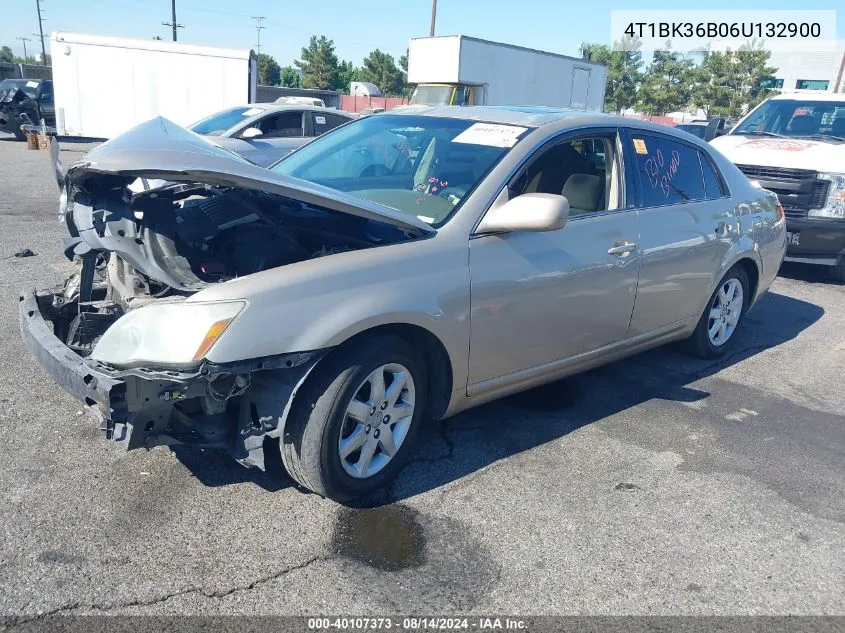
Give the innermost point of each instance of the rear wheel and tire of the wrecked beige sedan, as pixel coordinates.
(701, 343)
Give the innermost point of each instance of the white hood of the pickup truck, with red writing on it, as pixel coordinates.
(792, 153)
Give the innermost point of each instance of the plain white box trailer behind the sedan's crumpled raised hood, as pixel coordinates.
(106, 85)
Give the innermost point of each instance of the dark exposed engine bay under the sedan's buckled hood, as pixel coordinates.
(140, 244)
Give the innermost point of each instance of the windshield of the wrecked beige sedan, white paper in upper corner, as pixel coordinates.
(421, 166)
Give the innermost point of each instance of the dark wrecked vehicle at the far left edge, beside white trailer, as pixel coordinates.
(26, 101)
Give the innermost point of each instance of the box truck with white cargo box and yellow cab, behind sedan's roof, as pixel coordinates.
(461, 70)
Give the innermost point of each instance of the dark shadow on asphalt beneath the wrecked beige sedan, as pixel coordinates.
(454, 448)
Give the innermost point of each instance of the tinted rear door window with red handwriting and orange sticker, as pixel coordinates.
(669, 171)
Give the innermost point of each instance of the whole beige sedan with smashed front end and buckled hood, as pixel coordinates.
(400, 268)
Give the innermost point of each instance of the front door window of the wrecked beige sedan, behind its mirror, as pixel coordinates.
(584, 170)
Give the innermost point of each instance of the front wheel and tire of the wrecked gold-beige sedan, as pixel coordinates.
(320, 419)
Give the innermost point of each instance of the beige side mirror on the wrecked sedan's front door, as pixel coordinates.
(528, 212)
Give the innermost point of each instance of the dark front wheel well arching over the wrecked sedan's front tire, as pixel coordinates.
(438, 365)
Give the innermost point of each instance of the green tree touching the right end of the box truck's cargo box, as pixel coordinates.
(624, 76)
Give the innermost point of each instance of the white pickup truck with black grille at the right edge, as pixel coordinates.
(794, 144)
